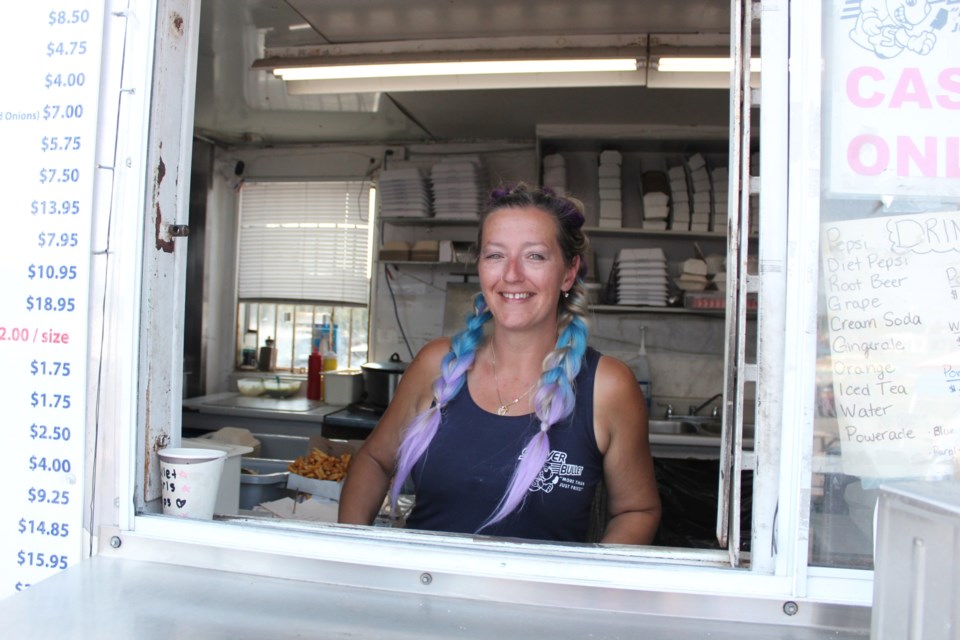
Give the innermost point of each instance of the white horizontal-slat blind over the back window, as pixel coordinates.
(306, 241)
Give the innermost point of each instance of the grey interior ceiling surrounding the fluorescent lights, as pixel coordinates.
(237, 105)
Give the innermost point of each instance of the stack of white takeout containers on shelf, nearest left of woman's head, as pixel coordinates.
(459, 188)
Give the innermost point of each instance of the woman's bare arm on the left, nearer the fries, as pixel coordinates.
(371, 469)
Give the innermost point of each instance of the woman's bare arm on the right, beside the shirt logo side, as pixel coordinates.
(620, 423)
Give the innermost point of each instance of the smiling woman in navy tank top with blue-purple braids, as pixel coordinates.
(527, 468)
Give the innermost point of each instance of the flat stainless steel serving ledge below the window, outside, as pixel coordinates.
(107, 597)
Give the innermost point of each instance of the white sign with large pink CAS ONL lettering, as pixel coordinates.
(892, 97)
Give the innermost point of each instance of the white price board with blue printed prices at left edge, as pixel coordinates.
(48, 122)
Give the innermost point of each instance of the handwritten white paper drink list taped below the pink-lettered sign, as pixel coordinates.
(892, 288)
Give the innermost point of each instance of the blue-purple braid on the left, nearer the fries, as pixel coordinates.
(453, 373)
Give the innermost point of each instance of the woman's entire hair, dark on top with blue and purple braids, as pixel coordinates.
(555, 395)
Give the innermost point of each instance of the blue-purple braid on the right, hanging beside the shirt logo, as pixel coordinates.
(554, 399)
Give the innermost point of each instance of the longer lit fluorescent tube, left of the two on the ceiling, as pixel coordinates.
(464, 68)
